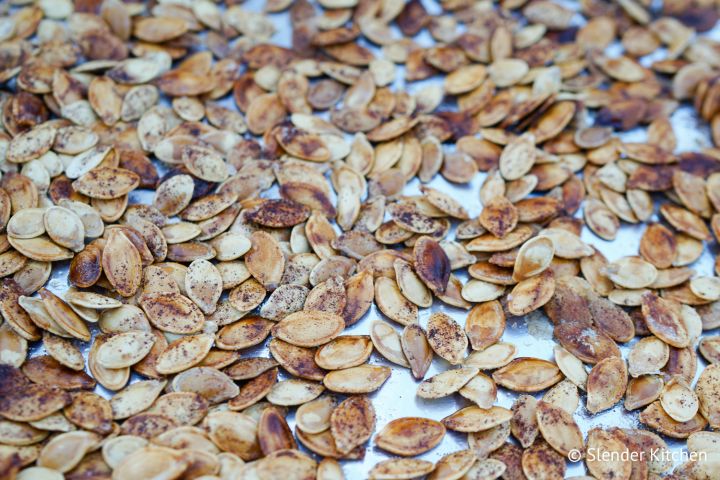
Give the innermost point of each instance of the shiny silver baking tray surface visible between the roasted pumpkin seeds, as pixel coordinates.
(531, 334)
